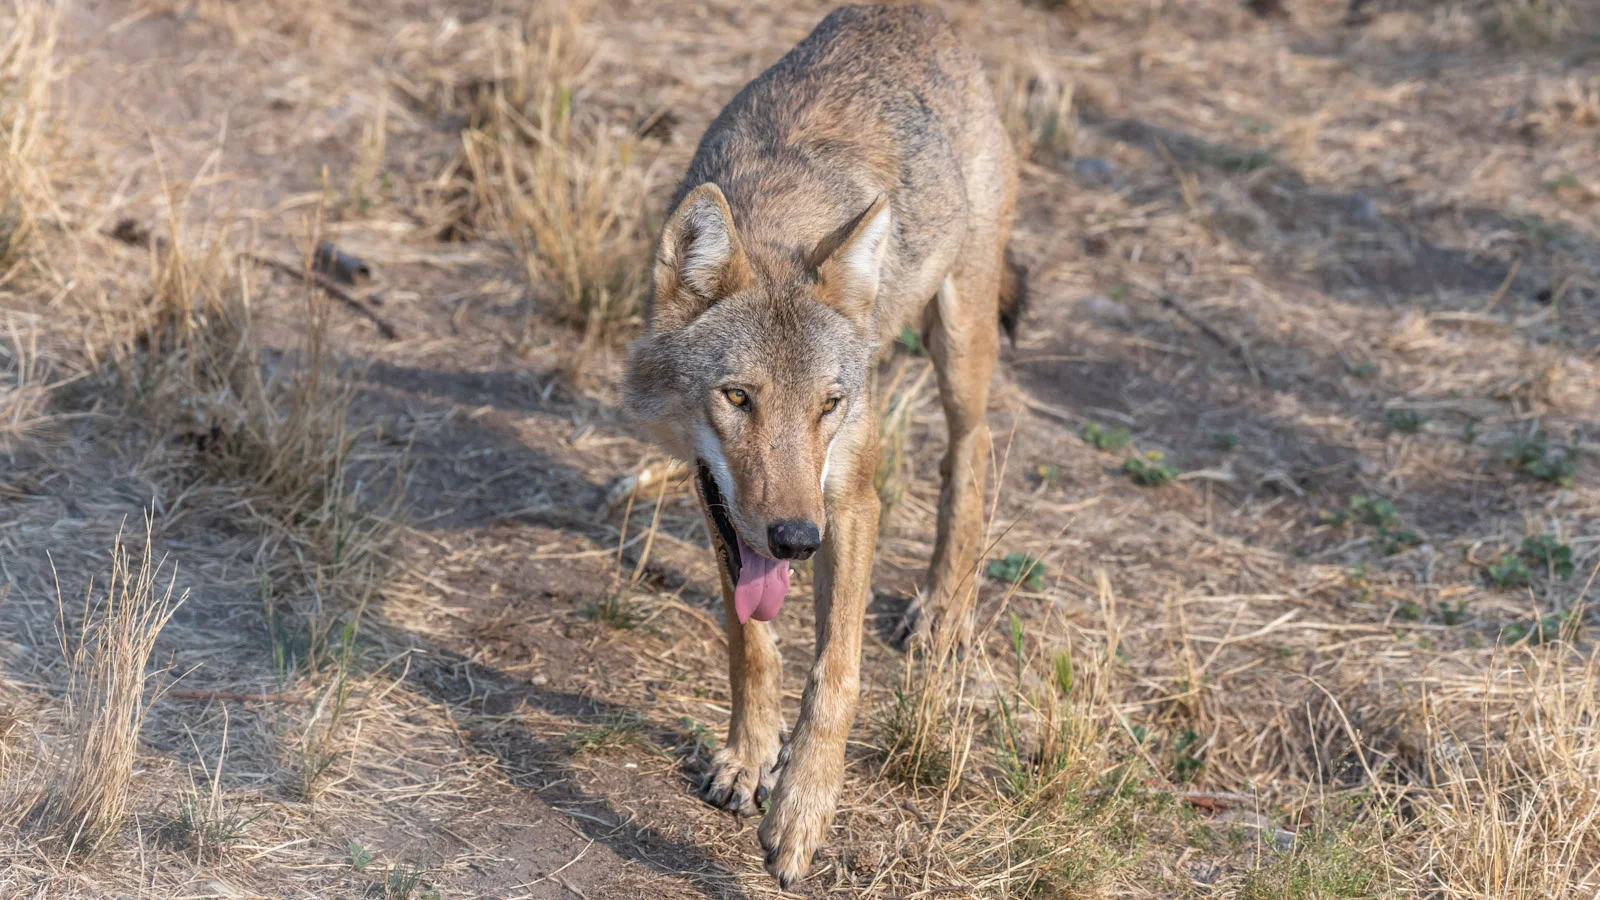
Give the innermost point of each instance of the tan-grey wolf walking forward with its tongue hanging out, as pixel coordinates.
(862, 183)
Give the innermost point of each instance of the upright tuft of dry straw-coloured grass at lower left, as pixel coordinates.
(89, 794)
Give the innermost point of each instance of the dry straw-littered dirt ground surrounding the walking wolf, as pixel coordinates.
(1334, 268)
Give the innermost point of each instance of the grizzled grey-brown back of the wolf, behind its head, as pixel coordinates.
(874, 100)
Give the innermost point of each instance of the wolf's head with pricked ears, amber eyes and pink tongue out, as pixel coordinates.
(756, 382)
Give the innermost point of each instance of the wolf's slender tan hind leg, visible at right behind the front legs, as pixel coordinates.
(962, 335)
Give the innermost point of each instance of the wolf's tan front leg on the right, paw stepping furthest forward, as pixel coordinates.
(814, 761)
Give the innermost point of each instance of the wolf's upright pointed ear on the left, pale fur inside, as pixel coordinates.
(700, 260)
